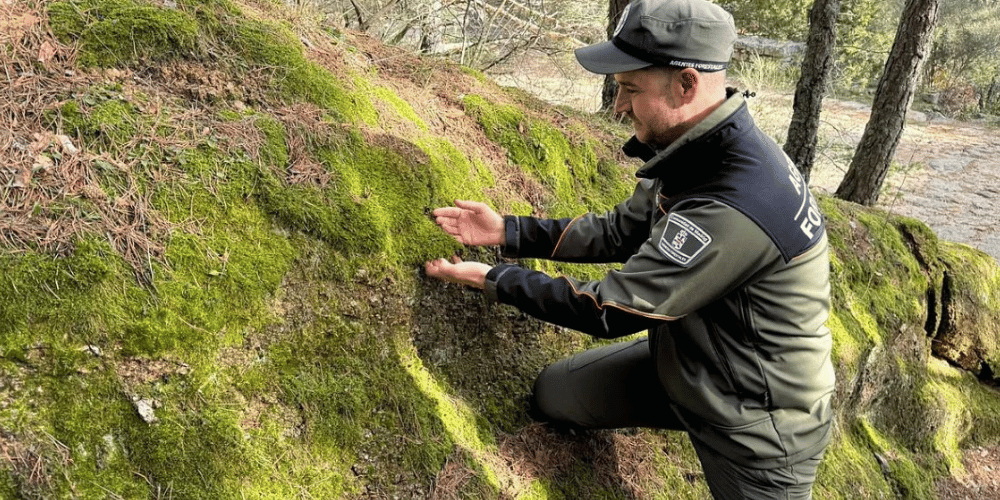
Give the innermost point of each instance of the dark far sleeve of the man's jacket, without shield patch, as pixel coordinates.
(610, 237)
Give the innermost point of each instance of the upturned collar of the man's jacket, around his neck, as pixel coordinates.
(701, 132)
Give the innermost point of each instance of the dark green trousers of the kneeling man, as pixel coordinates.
(616, 386)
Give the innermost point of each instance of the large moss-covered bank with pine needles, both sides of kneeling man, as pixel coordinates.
(213, 220)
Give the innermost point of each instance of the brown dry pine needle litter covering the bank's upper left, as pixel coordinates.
(54, 190)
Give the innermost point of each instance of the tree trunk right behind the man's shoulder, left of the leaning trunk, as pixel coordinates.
(816, 66)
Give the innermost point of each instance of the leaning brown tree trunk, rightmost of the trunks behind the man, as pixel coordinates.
(893, 96)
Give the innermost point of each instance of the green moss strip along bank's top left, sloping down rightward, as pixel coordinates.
(113, 33)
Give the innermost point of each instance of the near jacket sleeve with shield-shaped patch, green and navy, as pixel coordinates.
(694, 255)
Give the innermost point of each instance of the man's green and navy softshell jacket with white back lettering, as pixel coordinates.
(725, 262)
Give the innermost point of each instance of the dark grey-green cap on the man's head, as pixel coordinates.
(679, 33)
